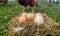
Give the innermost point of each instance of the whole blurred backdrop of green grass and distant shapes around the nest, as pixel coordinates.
(10, 8)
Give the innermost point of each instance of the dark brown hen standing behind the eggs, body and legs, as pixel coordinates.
(25, 3)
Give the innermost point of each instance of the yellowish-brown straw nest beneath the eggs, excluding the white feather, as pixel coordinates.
(48, 29)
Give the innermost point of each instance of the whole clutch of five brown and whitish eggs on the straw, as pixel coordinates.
(37, 18)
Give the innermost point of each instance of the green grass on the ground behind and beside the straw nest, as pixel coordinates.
(13, 9)
